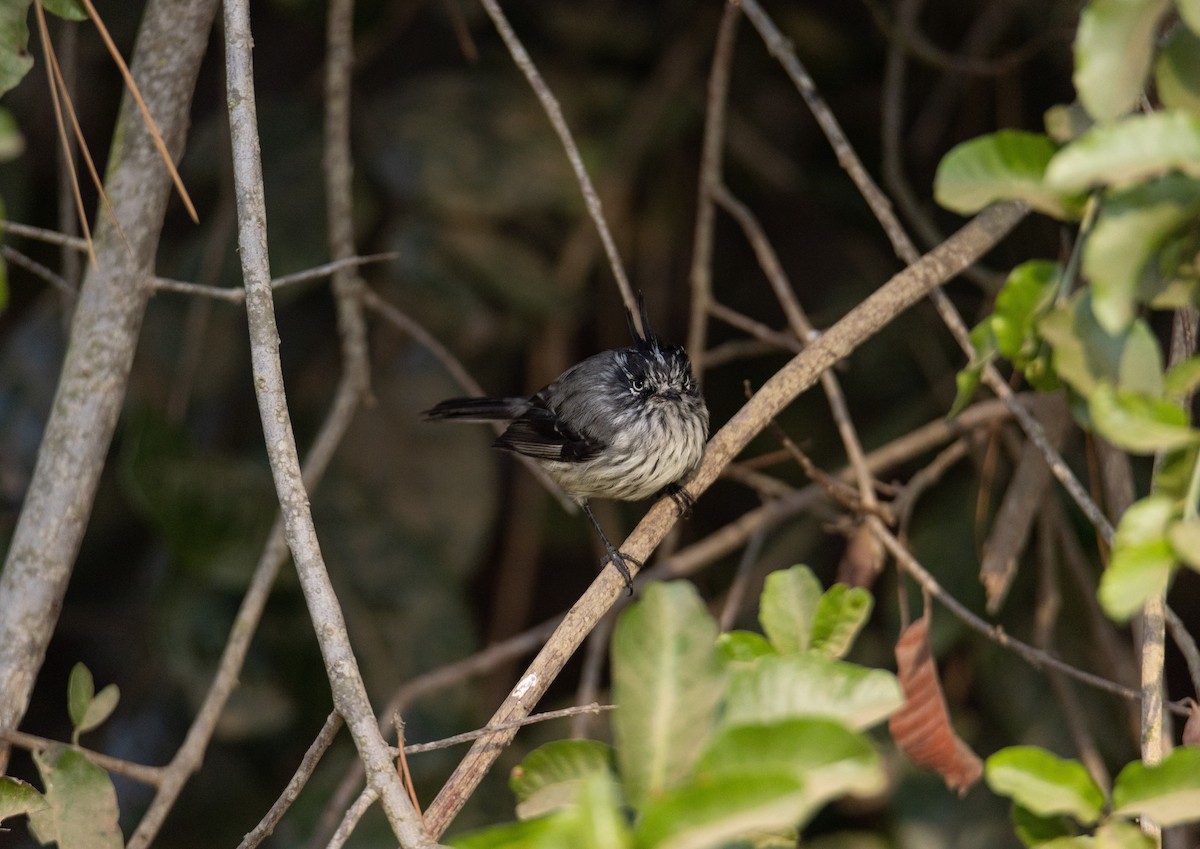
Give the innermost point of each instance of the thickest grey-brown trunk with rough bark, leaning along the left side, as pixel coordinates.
(104, 338)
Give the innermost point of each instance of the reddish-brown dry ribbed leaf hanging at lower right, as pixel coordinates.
(922, 727)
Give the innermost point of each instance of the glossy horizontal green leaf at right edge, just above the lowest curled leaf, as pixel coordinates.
(1138, 423)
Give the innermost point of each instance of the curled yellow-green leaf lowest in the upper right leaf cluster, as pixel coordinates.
(1142, 562)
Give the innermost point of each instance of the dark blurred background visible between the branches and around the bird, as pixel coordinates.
(437, 546)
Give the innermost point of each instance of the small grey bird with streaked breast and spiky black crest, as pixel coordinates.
(625, 425)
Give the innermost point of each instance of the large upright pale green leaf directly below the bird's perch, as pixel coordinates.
(667, 681)
